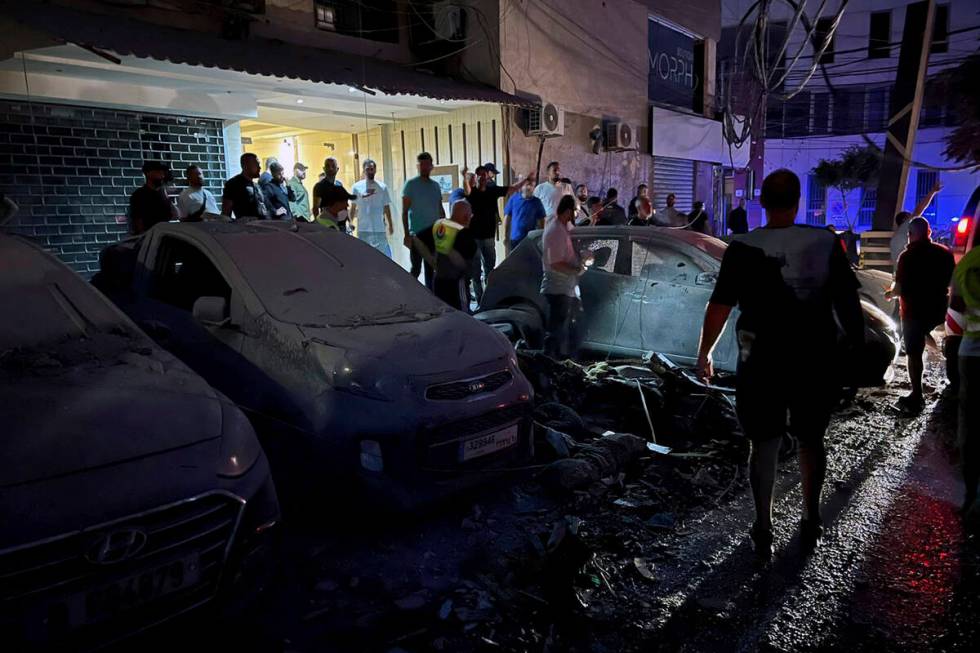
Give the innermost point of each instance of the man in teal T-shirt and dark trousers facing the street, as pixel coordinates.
(421, 207)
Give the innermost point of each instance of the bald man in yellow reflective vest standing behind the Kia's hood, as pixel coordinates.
(455, 248)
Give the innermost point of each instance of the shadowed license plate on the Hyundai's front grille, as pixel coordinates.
(133, 591)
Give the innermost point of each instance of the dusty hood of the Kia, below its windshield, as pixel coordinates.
(444, 342)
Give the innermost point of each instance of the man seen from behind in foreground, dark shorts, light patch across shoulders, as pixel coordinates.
(788, 281)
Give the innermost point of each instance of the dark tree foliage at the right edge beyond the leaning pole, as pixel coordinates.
(958, 87)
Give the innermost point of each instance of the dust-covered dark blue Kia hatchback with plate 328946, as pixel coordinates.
(348, 367)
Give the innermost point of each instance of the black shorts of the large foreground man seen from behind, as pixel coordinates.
(769, 402)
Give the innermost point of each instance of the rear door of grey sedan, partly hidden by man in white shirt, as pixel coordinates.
(601, 287)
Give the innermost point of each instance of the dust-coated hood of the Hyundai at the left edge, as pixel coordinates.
(97, 402)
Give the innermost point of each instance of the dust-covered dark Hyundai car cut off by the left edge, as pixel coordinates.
(130, 490)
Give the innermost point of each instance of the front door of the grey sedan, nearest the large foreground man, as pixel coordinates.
(672, 284)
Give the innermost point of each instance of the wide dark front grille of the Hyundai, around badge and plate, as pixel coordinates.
(37, 580)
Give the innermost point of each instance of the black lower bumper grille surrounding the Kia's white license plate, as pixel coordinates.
(441, 445)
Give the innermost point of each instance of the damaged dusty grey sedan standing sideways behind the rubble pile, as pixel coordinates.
(646, 291)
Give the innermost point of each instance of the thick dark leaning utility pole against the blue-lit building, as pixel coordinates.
(906, 104)
